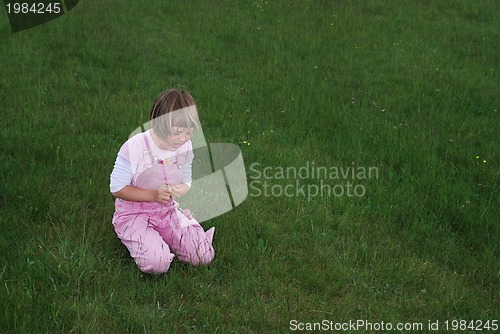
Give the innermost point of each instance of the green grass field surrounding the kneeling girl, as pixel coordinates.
(411, 88)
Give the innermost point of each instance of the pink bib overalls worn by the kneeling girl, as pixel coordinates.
(155, 233)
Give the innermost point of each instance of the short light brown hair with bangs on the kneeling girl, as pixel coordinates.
(163, 117)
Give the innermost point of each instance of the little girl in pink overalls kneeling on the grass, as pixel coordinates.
(153, 168)
